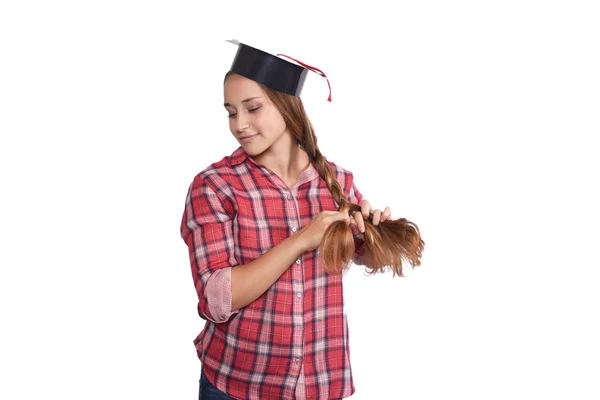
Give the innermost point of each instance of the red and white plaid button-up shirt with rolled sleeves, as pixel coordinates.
(291, 342)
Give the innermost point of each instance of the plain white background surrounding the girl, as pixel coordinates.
(475, 120)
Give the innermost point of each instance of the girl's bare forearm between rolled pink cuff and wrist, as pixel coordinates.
(250, 281)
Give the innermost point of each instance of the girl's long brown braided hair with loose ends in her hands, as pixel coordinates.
(388, 243)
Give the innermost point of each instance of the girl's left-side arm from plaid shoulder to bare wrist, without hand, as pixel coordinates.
(223, 286)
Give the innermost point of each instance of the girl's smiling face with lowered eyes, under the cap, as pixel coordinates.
(253, 119)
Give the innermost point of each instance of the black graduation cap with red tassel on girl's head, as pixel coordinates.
(272, 71)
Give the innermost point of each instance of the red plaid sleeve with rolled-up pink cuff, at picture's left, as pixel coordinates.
(207, 229)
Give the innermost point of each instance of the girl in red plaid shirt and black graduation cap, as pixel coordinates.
(276, 326)
